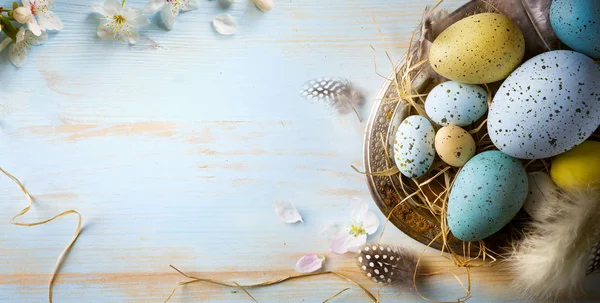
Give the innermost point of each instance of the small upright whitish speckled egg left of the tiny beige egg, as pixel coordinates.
(413, 146)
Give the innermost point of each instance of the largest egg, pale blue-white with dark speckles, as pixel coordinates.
(547, 106)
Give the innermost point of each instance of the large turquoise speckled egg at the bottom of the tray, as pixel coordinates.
(487, 193)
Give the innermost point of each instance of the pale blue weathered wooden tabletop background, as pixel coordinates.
(175, 154)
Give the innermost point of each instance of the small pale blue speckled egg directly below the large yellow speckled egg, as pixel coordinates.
(456, 103)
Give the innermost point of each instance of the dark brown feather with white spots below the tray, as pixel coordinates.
(387, 264)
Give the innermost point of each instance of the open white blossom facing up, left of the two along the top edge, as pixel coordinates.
(120, 23)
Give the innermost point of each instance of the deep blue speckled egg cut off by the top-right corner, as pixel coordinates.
(577, 24)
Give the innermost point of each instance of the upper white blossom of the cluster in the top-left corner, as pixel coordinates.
(43, 17)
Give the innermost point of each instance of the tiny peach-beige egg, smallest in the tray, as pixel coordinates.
(454, 145)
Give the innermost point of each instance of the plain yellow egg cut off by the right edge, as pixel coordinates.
(578, 168)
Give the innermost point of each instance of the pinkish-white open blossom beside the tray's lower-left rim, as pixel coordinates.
(353, 236)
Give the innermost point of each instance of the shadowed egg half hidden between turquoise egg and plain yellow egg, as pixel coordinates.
(541, 187)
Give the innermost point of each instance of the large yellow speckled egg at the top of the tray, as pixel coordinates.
(479, 49)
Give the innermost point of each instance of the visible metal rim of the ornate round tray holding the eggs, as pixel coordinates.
(414, 221)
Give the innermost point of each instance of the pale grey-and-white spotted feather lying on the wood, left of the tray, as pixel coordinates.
(337, 93)
